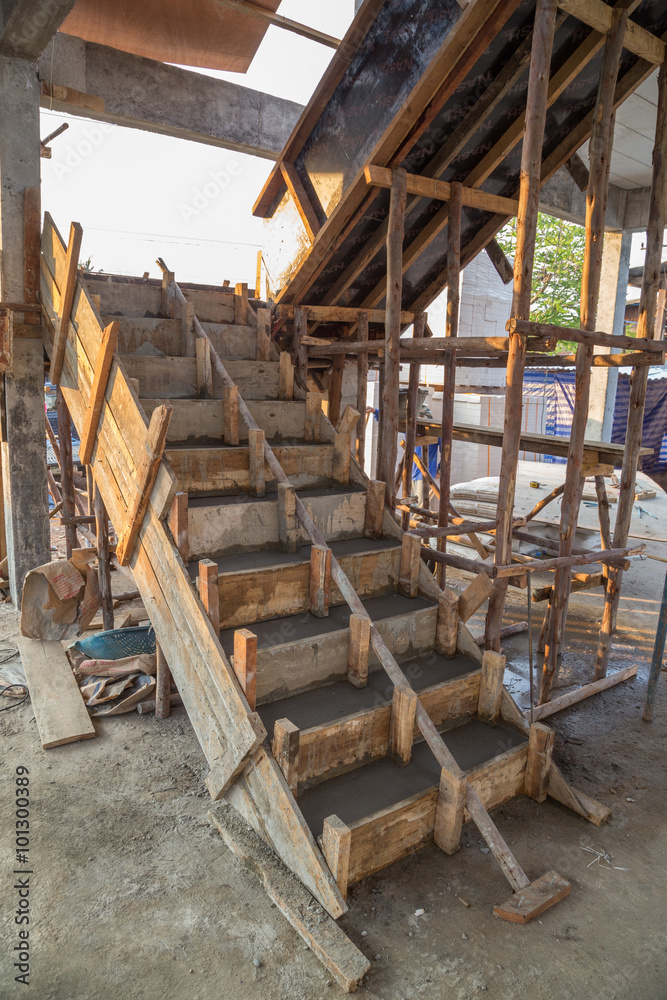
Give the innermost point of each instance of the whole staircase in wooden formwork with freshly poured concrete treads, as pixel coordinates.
(342, 705)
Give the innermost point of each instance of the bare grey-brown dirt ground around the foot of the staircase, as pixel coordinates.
(133, 895)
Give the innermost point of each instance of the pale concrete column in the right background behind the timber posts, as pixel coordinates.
(610, 319)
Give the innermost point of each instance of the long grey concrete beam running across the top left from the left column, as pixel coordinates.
(112, 86)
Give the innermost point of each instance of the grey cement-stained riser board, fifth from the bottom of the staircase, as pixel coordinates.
(245, 526)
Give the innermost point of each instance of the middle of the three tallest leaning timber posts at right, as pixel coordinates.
(596, 210)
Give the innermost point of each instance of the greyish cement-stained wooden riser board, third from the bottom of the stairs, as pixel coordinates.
(289, 668)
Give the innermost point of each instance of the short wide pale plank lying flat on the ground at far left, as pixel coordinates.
(59, 709)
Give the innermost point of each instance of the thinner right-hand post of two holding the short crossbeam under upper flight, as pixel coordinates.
(449, 366)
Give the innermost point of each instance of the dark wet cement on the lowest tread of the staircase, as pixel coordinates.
(360, 793)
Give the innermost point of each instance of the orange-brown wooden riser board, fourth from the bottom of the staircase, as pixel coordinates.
(255, 586)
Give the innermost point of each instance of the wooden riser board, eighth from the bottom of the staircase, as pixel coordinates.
(176, 377)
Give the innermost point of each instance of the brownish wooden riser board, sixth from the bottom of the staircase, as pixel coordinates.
(225, 470)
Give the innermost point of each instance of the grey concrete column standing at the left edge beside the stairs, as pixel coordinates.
(23, 440)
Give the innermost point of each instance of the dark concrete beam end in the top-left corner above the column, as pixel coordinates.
(27, 26)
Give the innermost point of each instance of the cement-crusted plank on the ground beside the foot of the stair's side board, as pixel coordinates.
(320, 932)
